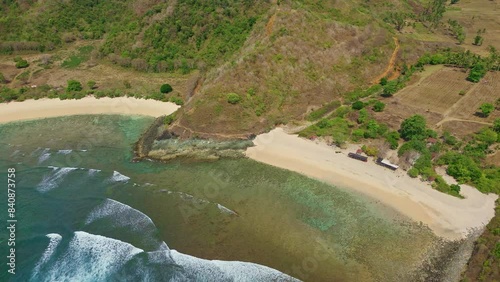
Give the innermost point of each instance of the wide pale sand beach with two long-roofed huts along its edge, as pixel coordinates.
(448, 216)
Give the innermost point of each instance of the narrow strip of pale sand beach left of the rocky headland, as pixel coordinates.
(44, 108)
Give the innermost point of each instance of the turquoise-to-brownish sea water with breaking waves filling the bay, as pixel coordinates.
(86, 213)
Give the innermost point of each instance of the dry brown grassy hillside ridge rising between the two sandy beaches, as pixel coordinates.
(284, 69)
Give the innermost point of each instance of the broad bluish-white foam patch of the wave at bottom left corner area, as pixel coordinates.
(89, 257)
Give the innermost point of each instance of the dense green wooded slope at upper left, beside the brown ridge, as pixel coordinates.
(198, 33)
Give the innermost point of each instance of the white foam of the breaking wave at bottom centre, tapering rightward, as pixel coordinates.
(216, 270)
